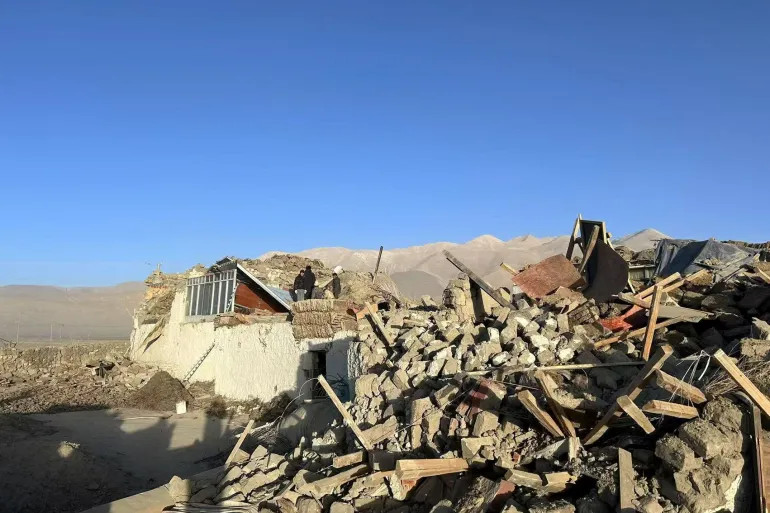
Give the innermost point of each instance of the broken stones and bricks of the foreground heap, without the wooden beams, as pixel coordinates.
(448, 387)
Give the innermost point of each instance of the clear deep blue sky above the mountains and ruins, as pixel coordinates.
(136, 132)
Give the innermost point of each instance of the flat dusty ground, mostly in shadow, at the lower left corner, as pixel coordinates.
(68, 462)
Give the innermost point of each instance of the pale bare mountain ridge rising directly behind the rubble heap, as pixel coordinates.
(423, 269)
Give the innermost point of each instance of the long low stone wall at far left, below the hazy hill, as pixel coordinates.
(32, 361)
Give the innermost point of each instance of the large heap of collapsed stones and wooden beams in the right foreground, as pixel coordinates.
(532, 405)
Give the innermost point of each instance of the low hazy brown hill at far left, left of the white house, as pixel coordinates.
(78, 313)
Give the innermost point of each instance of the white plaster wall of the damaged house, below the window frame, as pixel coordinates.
(257, 360)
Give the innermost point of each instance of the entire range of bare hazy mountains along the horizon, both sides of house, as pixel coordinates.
(91, 313)
